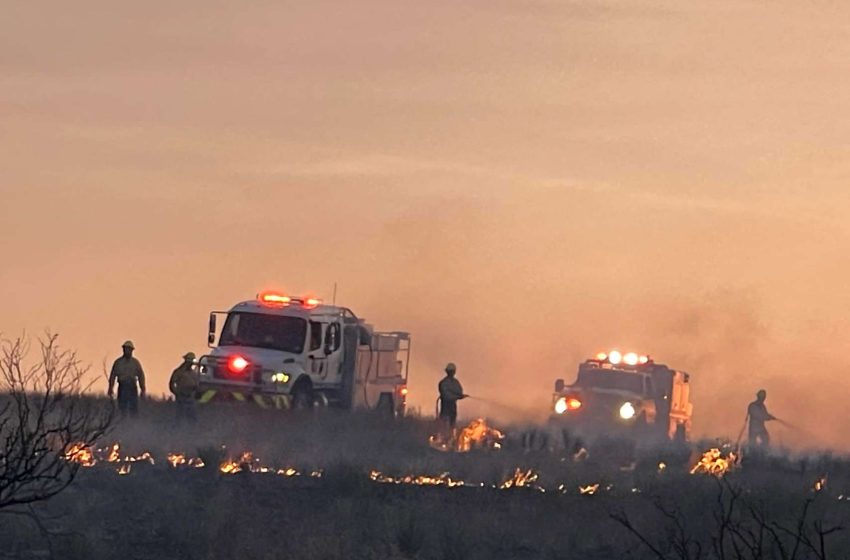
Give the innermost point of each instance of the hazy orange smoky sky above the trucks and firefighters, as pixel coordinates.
(518, 183)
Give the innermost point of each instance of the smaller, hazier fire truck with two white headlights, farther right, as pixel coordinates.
(625, 393)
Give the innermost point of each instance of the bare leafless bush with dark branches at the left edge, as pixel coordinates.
(43, 413)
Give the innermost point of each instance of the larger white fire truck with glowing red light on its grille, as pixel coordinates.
(281, 351)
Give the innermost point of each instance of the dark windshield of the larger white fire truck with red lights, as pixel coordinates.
(257, 330)
